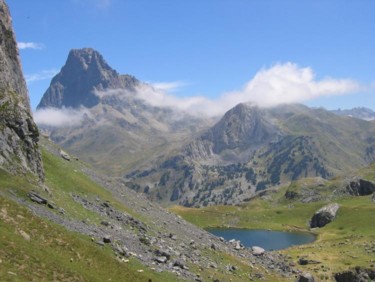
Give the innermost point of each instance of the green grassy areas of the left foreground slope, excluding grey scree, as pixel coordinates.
(53, 253)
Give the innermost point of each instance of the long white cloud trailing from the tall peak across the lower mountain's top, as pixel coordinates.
(280, 84)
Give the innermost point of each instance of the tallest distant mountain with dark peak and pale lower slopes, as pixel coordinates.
(119, 130)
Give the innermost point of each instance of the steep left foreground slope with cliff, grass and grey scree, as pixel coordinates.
(80, 226)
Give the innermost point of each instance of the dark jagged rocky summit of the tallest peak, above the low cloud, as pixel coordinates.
(84, 72)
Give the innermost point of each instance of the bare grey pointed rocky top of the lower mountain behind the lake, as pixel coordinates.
(241, 131)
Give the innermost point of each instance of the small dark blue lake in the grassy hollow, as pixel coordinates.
(268, 240)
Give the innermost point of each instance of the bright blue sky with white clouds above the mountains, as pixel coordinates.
(210, 54)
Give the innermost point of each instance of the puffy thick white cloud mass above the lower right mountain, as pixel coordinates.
(288, 83)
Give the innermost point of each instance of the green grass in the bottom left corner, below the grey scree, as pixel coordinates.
(49, 252)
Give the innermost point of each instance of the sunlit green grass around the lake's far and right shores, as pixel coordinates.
(340, 245)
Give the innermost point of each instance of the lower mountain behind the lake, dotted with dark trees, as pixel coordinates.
(250, 149)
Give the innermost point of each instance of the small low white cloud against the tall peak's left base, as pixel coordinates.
(60, 117)
